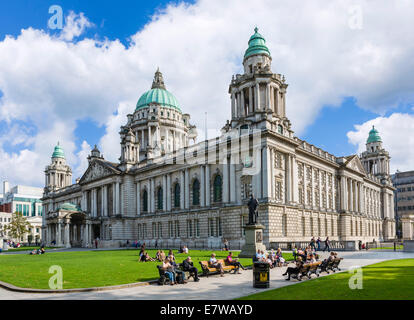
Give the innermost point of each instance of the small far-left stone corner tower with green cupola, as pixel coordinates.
(58, 174)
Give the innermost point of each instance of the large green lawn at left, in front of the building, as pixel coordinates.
(86, 269)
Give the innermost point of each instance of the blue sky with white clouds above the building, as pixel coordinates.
(348, 64)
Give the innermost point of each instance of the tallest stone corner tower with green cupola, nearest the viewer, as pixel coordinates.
(258, 96)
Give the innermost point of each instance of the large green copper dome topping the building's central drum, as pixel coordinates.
(158, 94)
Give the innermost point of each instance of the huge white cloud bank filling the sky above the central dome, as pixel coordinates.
(50, 79)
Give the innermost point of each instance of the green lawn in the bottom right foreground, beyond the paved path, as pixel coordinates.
(389, 280)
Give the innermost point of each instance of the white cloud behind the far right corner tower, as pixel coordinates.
(396, 132)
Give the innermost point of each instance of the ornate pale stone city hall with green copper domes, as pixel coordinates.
(168, 190)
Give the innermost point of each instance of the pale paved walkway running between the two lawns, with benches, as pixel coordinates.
(215, 287)
